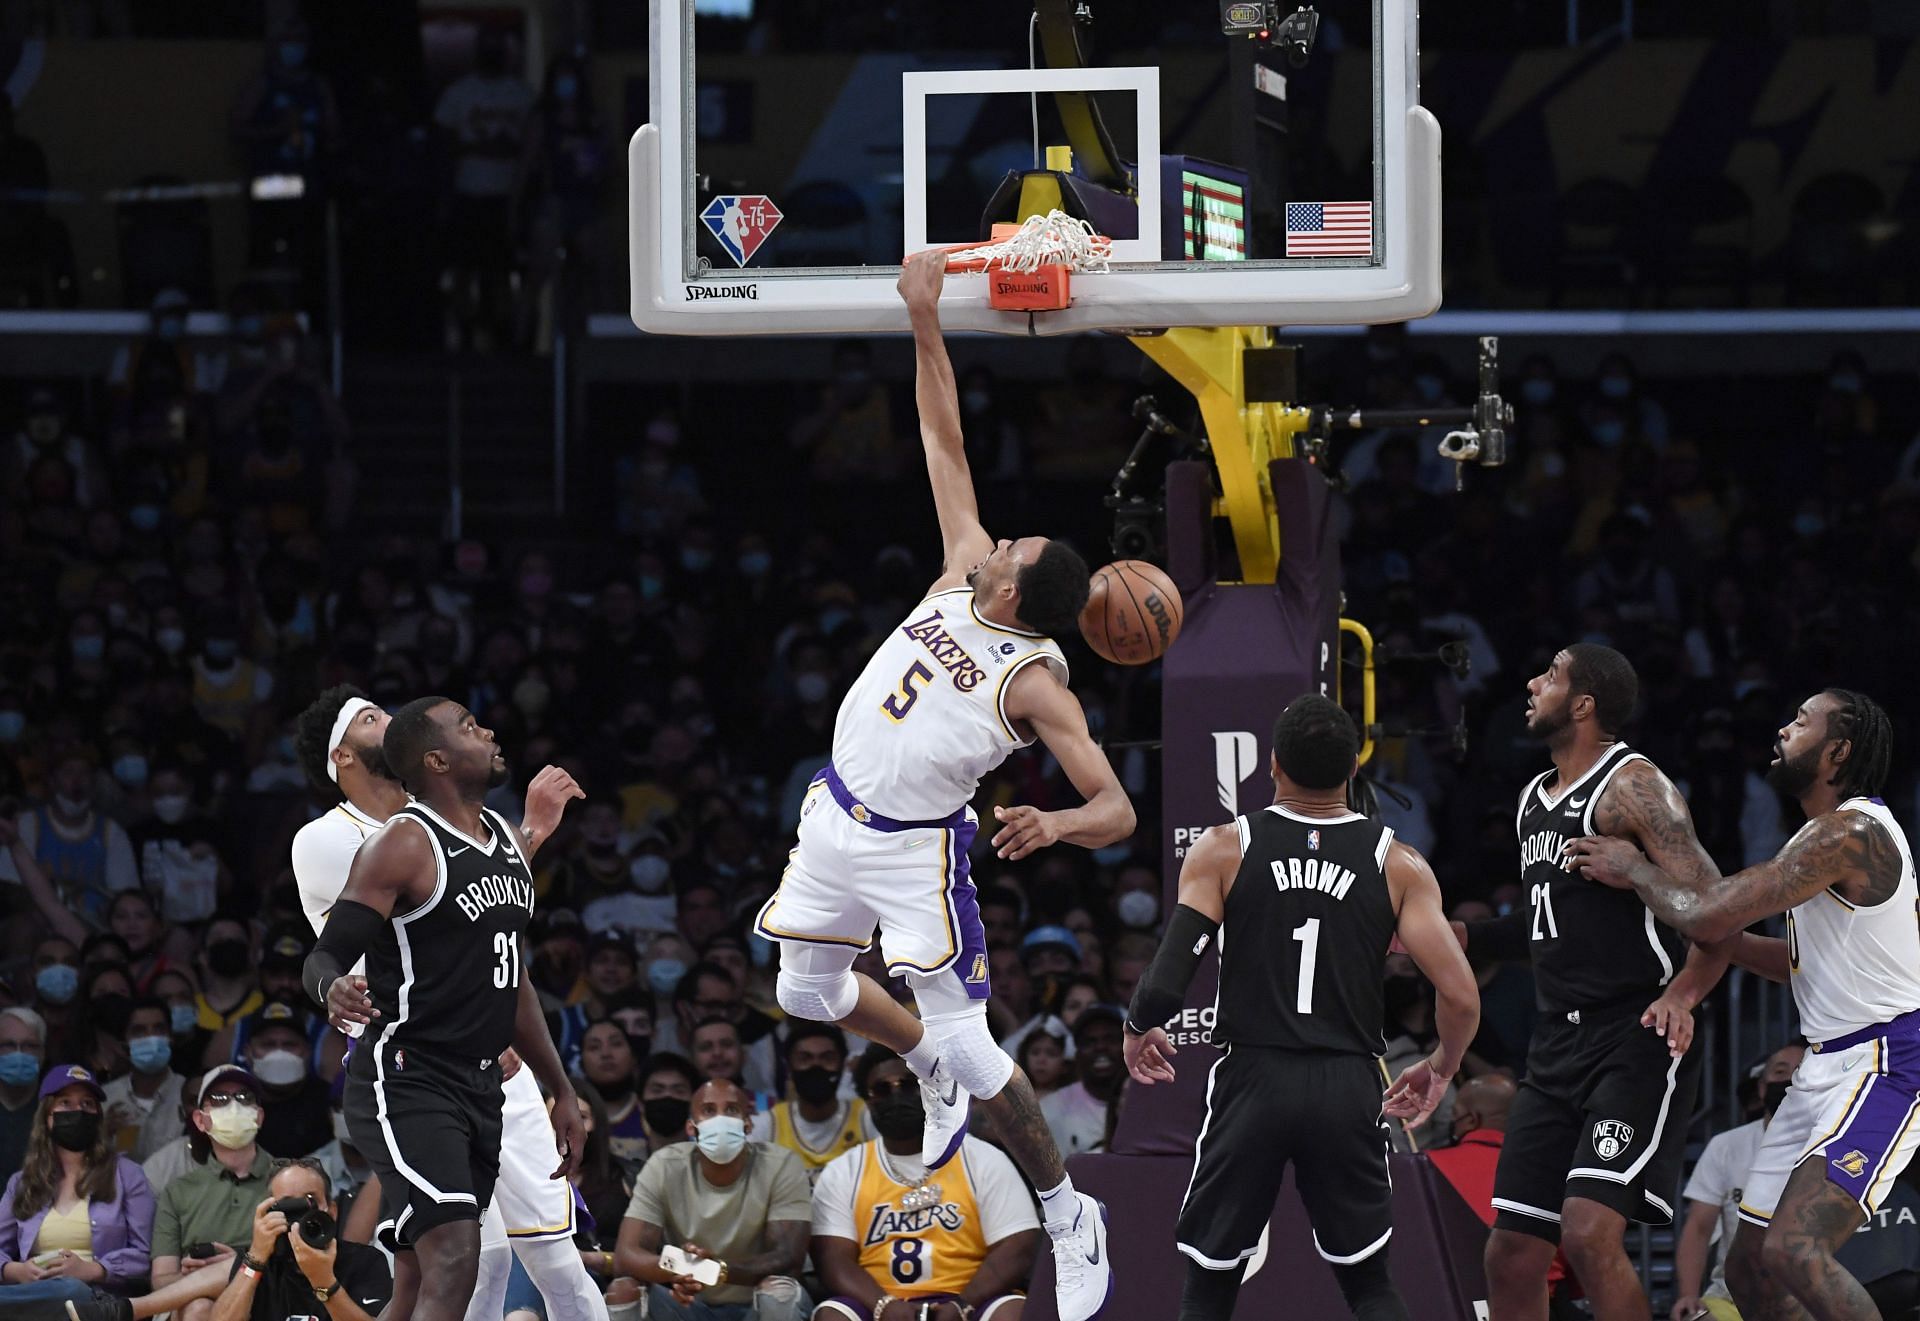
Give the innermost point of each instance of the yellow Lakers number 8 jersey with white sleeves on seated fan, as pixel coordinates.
(921, 1234)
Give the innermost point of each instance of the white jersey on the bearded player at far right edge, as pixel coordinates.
(1858, 967)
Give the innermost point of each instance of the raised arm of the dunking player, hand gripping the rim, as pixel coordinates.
(936, 396)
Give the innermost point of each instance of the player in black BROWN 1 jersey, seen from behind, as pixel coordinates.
(1305, 900)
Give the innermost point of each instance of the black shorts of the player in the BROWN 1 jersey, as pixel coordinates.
(1274, 1109)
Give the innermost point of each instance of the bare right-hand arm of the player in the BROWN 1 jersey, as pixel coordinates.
(1435, 949)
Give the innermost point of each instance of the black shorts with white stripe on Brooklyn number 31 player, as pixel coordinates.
(429, 1126)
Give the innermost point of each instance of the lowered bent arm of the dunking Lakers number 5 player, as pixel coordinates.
(1055, 713)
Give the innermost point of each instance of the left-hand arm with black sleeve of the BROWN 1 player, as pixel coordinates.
(1199, 911)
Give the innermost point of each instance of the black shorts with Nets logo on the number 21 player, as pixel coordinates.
(1602, 1115)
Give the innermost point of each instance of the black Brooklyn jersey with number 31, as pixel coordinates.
(446, 976)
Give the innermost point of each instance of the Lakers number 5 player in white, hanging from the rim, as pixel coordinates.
(886, 829)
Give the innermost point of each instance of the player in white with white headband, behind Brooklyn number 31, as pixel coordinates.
(339, 740)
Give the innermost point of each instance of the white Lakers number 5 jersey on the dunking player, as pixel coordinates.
(928, 715)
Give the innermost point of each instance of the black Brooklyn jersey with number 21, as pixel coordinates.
(1591, 944)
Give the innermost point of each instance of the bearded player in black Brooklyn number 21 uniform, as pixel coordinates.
(1598, 1126)
